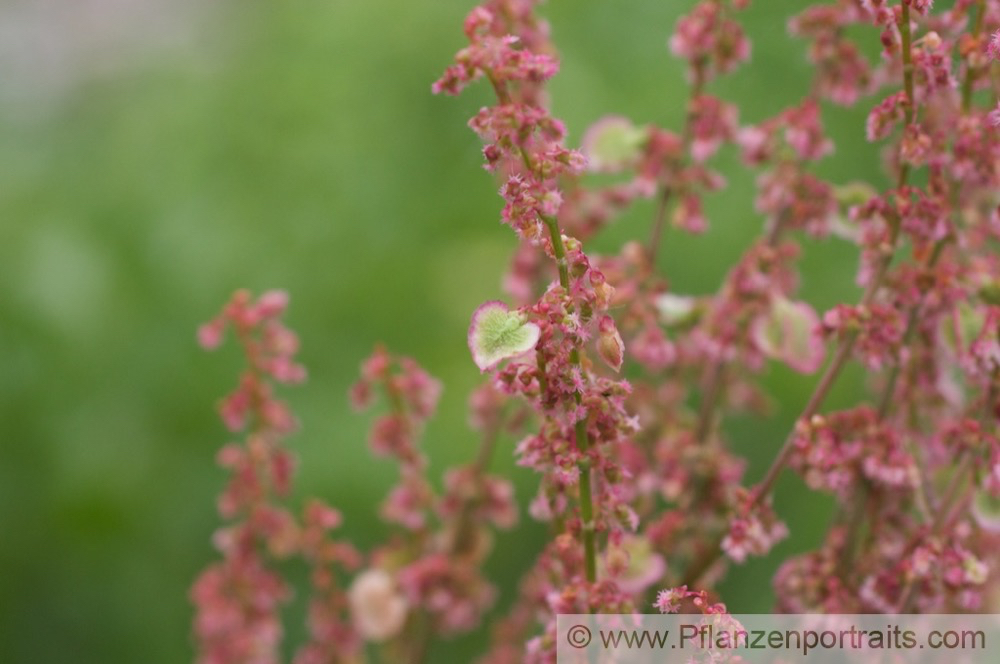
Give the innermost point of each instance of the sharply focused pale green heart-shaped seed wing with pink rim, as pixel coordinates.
(496, 334)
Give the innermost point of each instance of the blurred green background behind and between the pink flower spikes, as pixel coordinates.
(297, 145)
